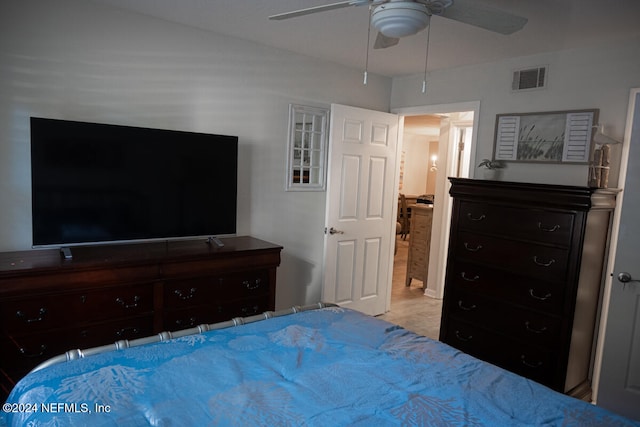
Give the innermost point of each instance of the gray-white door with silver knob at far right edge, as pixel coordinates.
(619, 385)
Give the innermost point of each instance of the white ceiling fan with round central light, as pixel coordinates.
(394, 19)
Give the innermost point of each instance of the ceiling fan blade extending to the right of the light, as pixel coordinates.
(470, 12)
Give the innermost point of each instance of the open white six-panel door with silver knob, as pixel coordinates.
(360, 229)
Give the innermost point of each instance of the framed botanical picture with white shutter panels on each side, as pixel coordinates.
(545, 137)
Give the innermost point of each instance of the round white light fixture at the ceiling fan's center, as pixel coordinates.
(400, 19)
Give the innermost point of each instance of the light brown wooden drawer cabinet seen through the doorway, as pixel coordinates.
(419, 243)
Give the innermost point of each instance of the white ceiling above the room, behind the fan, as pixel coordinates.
(341, 35)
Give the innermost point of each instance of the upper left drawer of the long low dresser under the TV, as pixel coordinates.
(44, 312)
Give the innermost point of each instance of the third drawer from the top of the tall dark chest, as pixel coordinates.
(522, 290)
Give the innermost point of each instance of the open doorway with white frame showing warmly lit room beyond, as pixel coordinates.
(437, 142)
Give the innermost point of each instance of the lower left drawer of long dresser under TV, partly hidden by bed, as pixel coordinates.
(25, 352)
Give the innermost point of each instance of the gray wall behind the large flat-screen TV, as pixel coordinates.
(80, 61)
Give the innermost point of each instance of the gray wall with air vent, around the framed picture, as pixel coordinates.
(599, 77)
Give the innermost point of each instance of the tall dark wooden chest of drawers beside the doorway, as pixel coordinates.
(524, 276)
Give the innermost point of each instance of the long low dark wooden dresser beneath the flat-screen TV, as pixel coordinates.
(49, 305)
